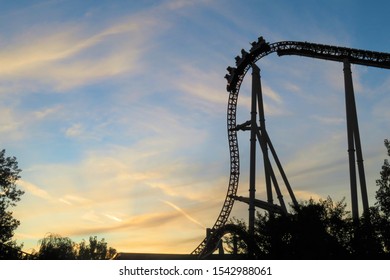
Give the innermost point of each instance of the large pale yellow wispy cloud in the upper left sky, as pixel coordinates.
(62, 58)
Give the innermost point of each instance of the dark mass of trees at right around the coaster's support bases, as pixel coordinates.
(323, 230)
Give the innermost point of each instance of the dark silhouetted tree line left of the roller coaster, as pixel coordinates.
(52, 246)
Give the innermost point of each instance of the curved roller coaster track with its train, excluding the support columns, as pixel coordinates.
(235, 77)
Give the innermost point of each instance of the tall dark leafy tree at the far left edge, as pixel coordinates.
(9, 195)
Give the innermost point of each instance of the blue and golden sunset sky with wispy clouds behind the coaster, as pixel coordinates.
(116, 111)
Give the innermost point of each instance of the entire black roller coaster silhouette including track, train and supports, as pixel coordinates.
(235, 77)
